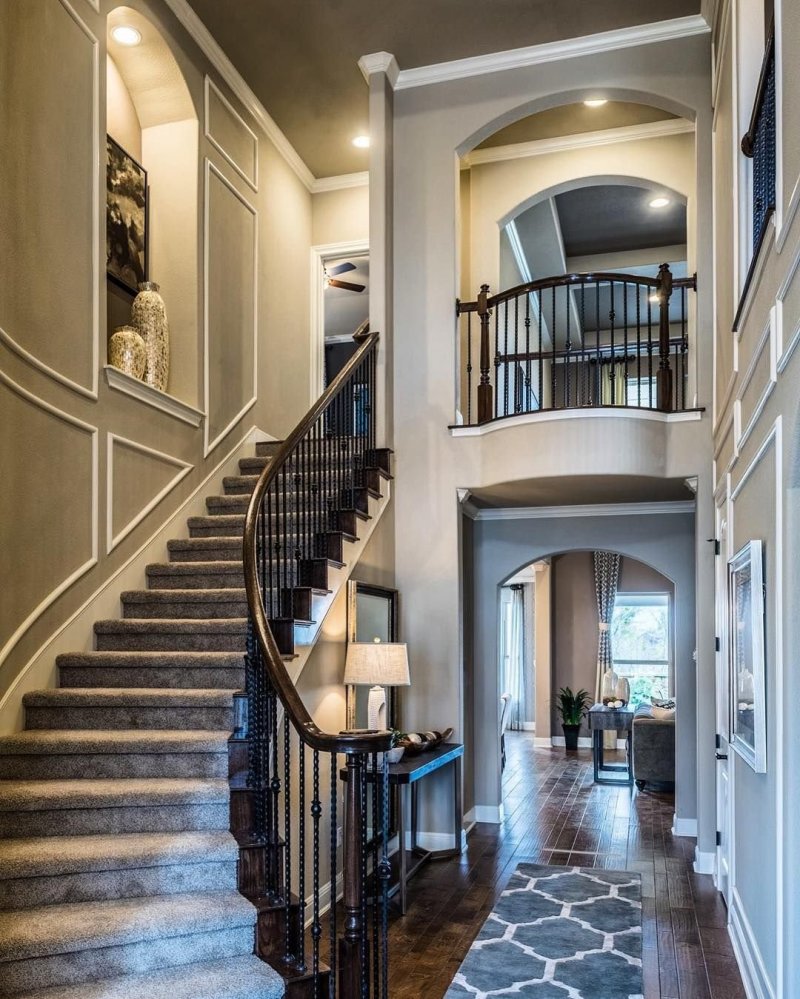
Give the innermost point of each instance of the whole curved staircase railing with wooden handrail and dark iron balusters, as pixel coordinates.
(307, 499)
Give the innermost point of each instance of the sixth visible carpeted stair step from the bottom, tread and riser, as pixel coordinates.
(129, 708)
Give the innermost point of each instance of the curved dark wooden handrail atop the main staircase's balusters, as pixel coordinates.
(311, 734)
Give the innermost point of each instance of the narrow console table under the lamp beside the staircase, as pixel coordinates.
(405, 777)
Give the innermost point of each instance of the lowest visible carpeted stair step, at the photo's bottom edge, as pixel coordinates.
(244, 977)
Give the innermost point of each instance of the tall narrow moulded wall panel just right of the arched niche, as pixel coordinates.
(231, 299)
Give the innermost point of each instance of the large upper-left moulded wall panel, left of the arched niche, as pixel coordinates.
(49, 240)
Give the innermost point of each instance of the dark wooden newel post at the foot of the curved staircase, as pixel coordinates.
(351, 958)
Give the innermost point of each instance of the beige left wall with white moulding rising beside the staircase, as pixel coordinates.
(55, 406)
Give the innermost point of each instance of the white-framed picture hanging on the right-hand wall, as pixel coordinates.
(748, 690)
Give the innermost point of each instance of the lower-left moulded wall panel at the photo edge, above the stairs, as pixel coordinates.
(48, 530)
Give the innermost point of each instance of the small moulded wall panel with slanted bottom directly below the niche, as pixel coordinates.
(137, 479)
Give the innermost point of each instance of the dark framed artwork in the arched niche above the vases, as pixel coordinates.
(126, 218)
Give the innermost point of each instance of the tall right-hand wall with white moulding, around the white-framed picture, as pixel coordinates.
(755, 471)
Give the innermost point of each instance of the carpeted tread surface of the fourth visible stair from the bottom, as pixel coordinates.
(49, 795)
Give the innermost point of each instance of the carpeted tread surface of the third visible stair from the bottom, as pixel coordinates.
(46, 856)
